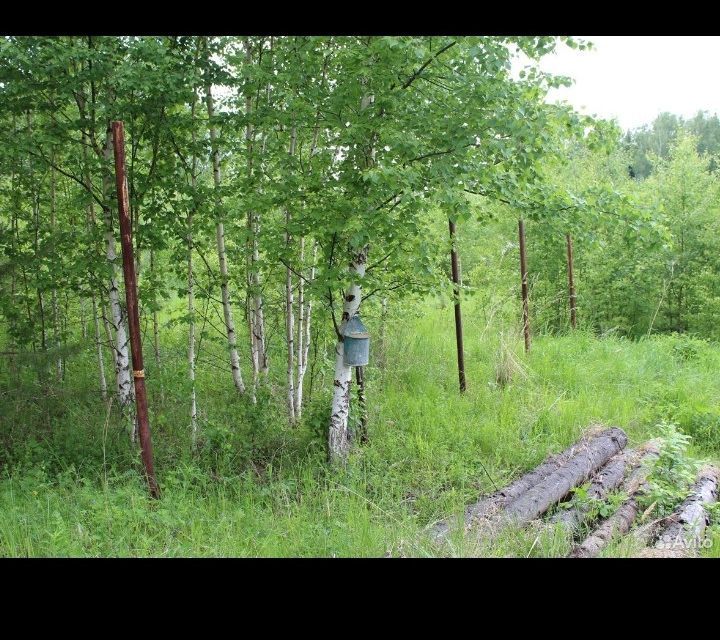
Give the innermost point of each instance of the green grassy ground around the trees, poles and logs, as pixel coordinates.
(70, 485)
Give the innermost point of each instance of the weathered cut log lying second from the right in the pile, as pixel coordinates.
(619, 523)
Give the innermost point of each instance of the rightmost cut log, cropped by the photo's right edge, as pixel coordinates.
(683, 535)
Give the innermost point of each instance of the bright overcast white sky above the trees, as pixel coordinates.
(634, 78)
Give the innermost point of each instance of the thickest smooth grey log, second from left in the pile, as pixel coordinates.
(538, 499)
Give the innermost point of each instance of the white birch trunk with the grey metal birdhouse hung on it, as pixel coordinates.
(338, 438)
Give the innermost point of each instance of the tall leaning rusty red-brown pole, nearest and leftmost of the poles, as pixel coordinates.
(132, 306)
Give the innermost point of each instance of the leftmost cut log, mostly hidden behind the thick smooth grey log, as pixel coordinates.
(495, 502)
